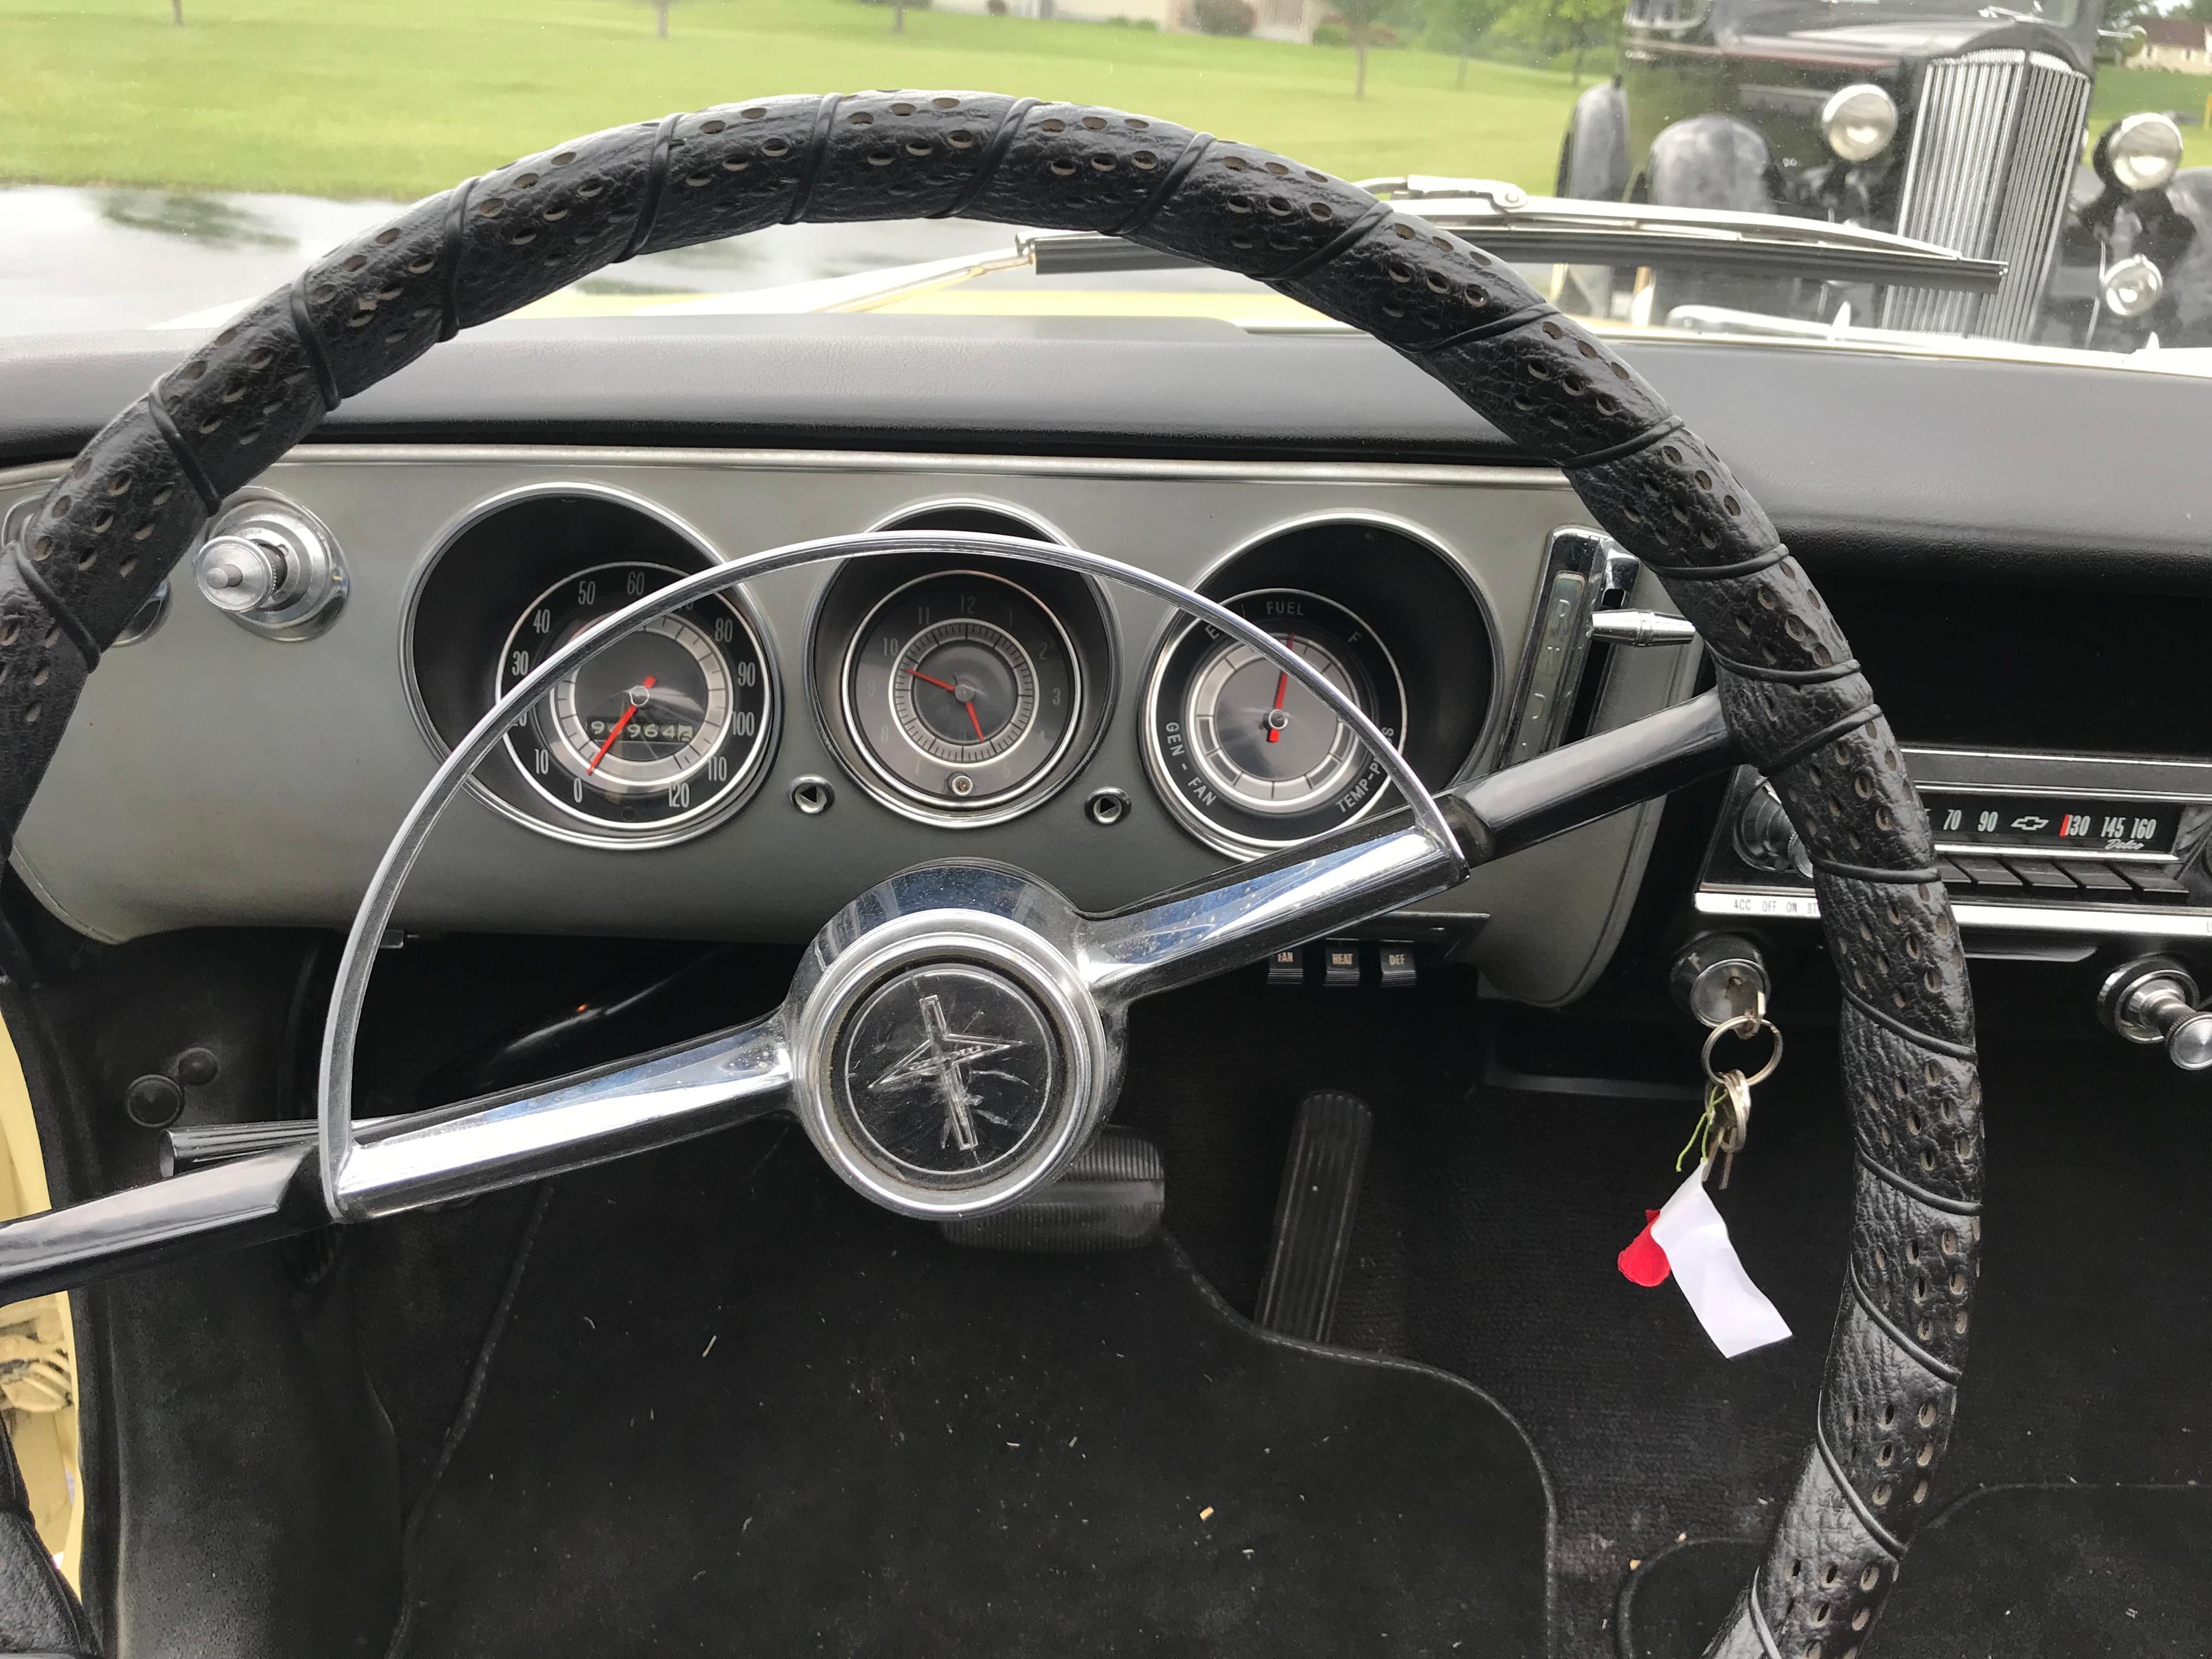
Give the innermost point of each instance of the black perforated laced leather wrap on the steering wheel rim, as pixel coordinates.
(1793, 696)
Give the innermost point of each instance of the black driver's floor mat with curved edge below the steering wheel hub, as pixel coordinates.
(740, 1410)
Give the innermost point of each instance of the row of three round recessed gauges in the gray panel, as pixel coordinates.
(954, 691)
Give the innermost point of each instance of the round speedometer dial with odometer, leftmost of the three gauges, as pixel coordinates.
(665, 729)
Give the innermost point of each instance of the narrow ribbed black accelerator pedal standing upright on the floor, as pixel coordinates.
(1313, 1215)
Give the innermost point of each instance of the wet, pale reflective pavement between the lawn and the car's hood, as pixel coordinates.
(109, 258)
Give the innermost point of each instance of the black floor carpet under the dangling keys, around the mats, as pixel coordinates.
(1492, 1220)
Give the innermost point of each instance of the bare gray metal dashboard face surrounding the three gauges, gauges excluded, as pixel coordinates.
(216, 778)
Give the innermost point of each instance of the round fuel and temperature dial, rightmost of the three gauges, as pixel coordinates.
(1249, 755)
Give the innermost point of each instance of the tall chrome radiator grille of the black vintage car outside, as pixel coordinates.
(1994, 154)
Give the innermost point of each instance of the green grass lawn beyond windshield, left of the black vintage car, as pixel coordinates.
(399, 98)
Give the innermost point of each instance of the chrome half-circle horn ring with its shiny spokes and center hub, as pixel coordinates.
(901, 999)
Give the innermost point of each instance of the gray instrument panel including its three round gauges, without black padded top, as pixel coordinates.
(751, 762)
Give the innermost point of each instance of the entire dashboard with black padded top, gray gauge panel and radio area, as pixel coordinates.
(2025, 594)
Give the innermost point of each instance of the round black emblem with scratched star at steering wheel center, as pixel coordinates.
(946, 1074)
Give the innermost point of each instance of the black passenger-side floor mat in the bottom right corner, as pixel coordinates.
(2018, 1572)
